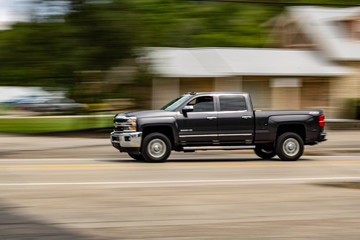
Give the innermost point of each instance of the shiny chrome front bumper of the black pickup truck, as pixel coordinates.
(126, 140)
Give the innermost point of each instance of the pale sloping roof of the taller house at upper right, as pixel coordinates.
(321, 24)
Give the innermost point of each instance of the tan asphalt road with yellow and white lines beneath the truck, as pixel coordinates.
(206, 195)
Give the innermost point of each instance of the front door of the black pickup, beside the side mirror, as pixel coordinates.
(200, 125)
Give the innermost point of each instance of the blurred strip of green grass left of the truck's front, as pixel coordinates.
(54, 124)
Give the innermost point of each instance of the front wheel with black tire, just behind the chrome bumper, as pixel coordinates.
(156, 147)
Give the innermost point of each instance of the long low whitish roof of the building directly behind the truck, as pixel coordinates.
(221, 62)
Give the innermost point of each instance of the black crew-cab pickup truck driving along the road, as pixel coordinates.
(216, 121)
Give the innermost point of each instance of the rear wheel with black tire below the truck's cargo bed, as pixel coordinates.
(289, 146)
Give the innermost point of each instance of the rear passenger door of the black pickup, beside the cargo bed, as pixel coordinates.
(235, 119)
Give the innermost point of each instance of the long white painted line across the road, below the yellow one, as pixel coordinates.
(256, 180)
